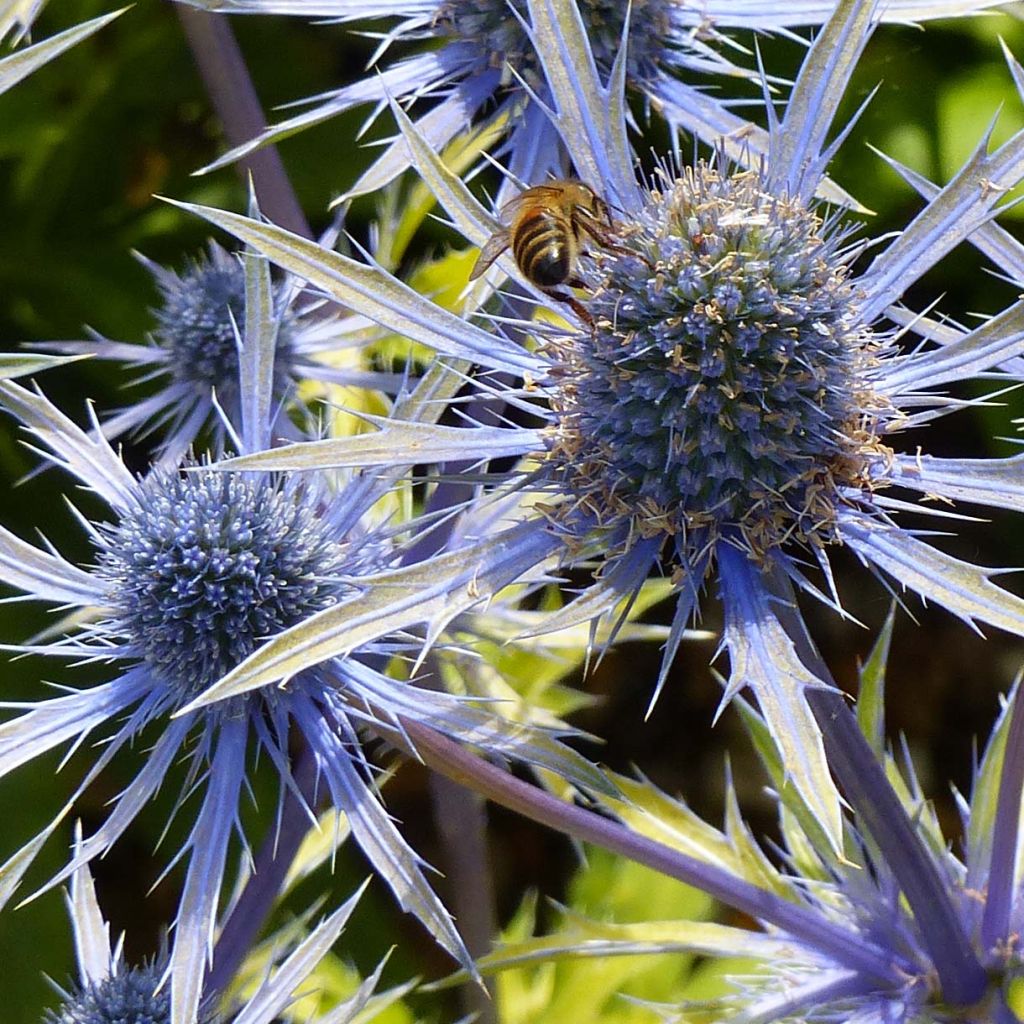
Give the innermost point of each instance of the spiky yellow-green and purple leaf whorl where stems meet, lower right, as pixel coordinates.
(915, 968)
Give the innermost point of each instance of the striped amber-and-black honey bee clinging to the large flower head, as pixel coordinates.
(546, 229)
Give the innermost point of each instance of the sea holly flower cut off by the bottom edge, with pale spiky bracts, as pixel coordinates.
(111, 992)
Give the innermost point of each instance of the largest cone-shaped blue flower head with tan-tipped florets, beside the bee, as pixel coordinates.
(723, 388)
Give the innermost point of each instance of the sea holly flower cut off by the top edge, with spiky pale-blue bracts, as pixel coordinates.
(488, 66)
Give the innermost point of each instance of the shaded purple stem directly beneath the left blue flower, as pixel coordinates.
(265, 885)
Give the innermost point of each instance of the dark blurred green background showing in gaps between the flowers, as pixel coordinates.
(84, 146)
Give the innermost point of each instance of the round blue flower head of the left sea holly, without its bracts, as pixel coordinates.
(204, 566)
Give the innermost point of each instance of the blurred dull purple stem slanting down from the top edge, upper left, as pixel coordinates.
(234, 97)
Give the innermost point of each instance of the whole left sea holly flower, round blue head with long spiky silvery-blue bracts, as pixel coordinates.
(195, 570)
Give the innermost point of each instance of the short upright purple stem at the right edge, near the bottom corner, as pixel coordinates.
(996, 920)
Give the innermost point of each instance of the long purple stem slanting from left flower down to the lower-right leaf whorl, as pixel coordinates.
(813, 929)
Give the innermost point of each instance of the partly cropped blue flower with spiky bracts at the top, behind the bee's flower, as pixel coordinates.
(486, 67)
